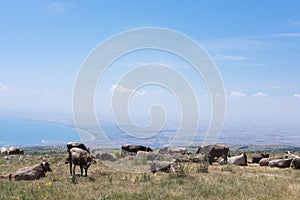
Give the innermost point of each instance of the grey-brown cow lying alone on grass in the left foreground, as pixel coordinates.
(32, 173)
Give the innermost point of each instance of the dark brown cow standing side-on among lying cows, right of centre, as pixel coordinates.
(215, 150)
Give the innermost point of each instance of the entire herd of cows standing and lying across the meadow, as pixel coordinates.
(79, 154)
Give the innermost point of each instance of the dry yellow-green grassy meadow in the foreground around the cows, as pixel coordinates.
(191, 181)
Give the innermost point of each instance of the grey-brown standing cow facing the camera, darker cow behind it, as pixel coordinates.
(80, 157)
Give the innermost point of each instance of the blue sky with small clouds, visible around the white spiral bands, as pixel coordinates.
(254, 44)
